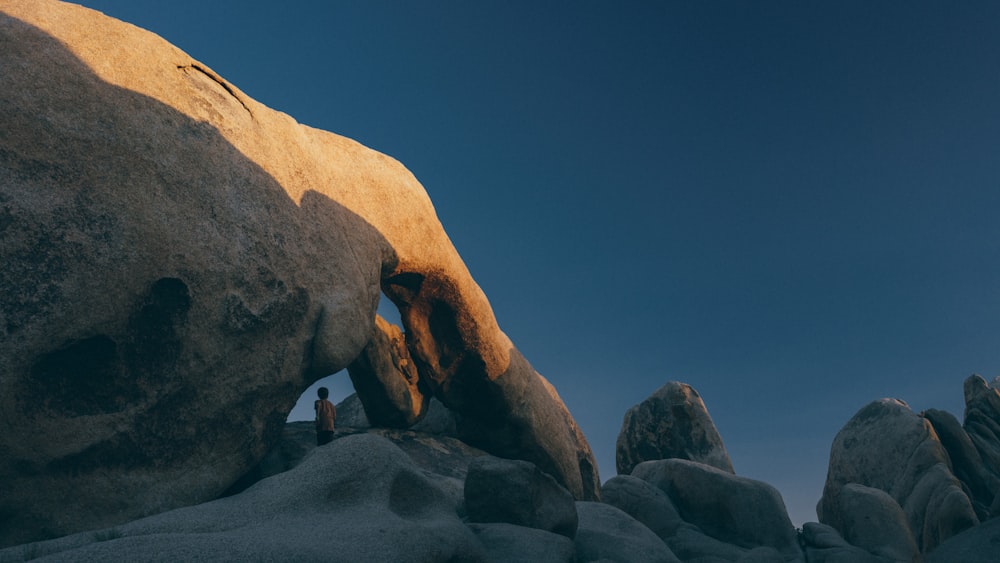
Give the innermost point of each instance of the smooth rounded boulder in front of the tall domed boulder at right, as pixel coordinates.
(874, 522)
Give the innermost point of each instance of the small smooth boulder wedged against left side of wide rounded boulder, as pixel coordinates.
(644, 502)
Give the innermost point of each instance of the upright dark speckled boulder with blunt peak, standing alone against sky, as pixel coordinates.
(672, 423)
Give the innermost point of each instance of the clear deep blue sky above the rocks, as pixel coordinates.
(792, 206)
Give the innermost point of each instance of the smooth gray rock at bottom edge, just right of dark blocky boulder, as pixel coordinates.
(608, 533)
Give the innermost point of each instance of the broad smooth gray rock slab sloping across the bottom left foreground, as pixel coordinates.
(357, 499)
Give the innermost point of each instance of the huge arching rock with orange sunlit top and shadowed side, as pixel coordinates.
(181, 262)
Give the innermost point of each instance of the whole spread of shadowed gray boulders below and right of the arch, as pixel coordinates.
(385, 494)
